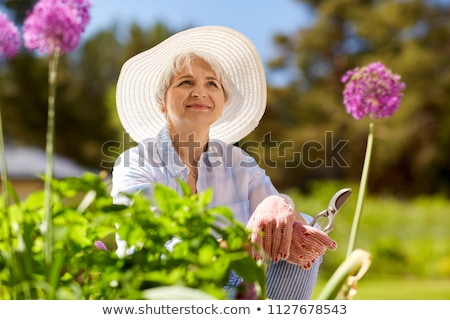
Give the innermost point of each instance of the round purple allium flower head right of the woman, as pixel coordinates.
(372, 91)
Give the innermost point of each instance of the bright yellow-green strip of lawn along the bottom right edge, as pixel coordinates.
(398, 289)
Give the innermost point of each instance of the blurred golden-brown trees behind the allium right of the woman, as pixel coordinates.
(409, 37)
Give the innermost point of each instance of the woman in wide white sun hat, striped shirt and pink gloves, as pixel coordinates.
(186, 102)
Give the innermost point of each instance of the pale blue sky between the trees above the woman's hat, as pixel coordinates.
(259, 20)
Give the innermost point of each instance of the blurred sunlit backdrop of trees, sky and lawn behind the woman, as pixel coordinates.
(306, 47)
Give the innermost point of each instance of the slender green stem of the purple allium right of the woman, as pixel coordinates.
(362, 190)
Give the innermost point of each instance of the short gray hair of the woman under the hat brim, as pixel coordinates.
(183, 60)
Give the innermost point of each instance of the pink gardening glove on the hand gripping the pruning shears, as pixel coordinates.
(308, 243)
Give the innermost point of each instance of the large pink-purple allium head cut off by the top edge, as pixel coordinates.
(55, 23)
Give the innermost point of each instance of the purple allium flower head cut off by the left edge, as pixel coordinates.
(9, 38)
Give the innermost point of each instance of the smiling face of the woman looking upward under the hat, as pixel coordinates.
(194, 99)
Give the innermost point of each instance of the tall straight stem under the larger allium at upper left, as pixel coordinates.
(53, 68)
